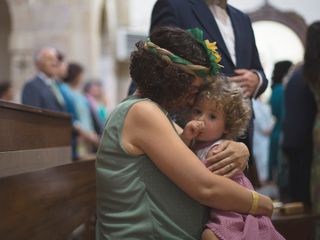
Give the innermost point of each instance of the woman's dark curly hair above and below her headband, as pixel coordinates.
(160, 80)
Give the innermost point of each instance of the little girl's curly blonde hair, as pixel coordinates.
(228, 97)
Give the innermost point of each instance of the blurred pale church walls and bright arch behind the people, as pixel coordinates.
(100, 34)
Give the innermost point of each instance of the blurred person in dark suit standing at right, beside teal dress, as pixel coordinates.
(297, 145)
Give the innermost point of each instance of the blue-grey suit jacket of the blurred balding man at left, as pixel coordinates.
(38, 94)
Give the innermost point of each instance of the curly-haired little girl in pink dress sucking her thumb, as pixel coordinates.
(222, 112)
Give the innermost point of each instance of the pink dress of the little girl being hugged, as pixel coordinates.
(228, 225)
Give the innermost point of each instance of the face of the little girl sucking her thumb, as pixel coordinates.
(213, 118)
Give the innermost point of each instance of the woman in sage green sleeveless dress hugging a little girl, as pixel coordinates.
(149, 184)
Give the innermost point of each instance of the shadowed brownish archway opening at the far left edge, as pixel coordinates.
(5, 30)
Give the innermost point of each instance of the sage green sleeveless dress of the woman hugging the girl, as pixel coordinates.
(134, 199)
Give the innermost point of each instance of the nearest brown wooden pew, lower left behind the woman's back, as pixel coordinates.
(48, 204)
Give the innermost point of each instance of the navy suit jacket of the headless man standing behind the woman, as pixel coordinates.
(195, 13)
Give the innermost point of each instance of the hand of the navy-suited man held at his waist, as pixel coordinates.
(248, 80)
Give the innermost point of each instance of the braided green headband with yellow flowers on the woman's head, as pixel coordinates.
(202, 71)
